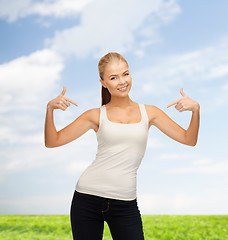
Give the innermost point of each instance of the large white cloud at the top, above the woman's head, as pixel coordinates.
(113, 25)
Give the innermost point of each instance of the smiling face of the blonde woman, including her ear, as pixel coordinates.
(117, 78)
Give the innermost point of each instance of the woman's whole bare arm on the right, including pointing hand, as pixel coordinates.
(163, 122)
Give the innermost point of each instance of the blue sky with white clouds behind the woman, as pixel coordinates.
(168, 45)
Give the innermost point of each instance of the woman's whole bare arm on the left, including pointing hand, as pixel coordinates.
(71, 132)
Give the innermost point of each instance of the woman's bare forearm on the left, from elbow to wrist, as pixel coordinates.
(50, 130)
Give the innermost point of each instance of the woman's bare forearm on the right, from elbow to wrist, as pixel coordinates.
(193, 129)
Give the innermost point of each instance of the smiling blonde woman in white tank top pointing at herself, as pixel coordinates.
(106, 191)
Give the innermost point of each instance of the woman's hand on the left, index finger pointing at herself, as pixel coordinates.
(61, 102)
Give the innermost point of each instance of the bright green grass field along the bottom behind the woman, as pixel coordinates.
(162, 227)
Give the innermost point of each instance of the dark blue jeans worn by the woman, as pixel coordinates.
(88, 213)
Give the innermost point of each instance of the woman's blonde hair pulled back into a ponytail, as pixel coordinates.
(109, 57)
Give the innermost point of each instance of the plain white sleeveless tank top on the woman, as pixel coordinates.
(121, 147)
